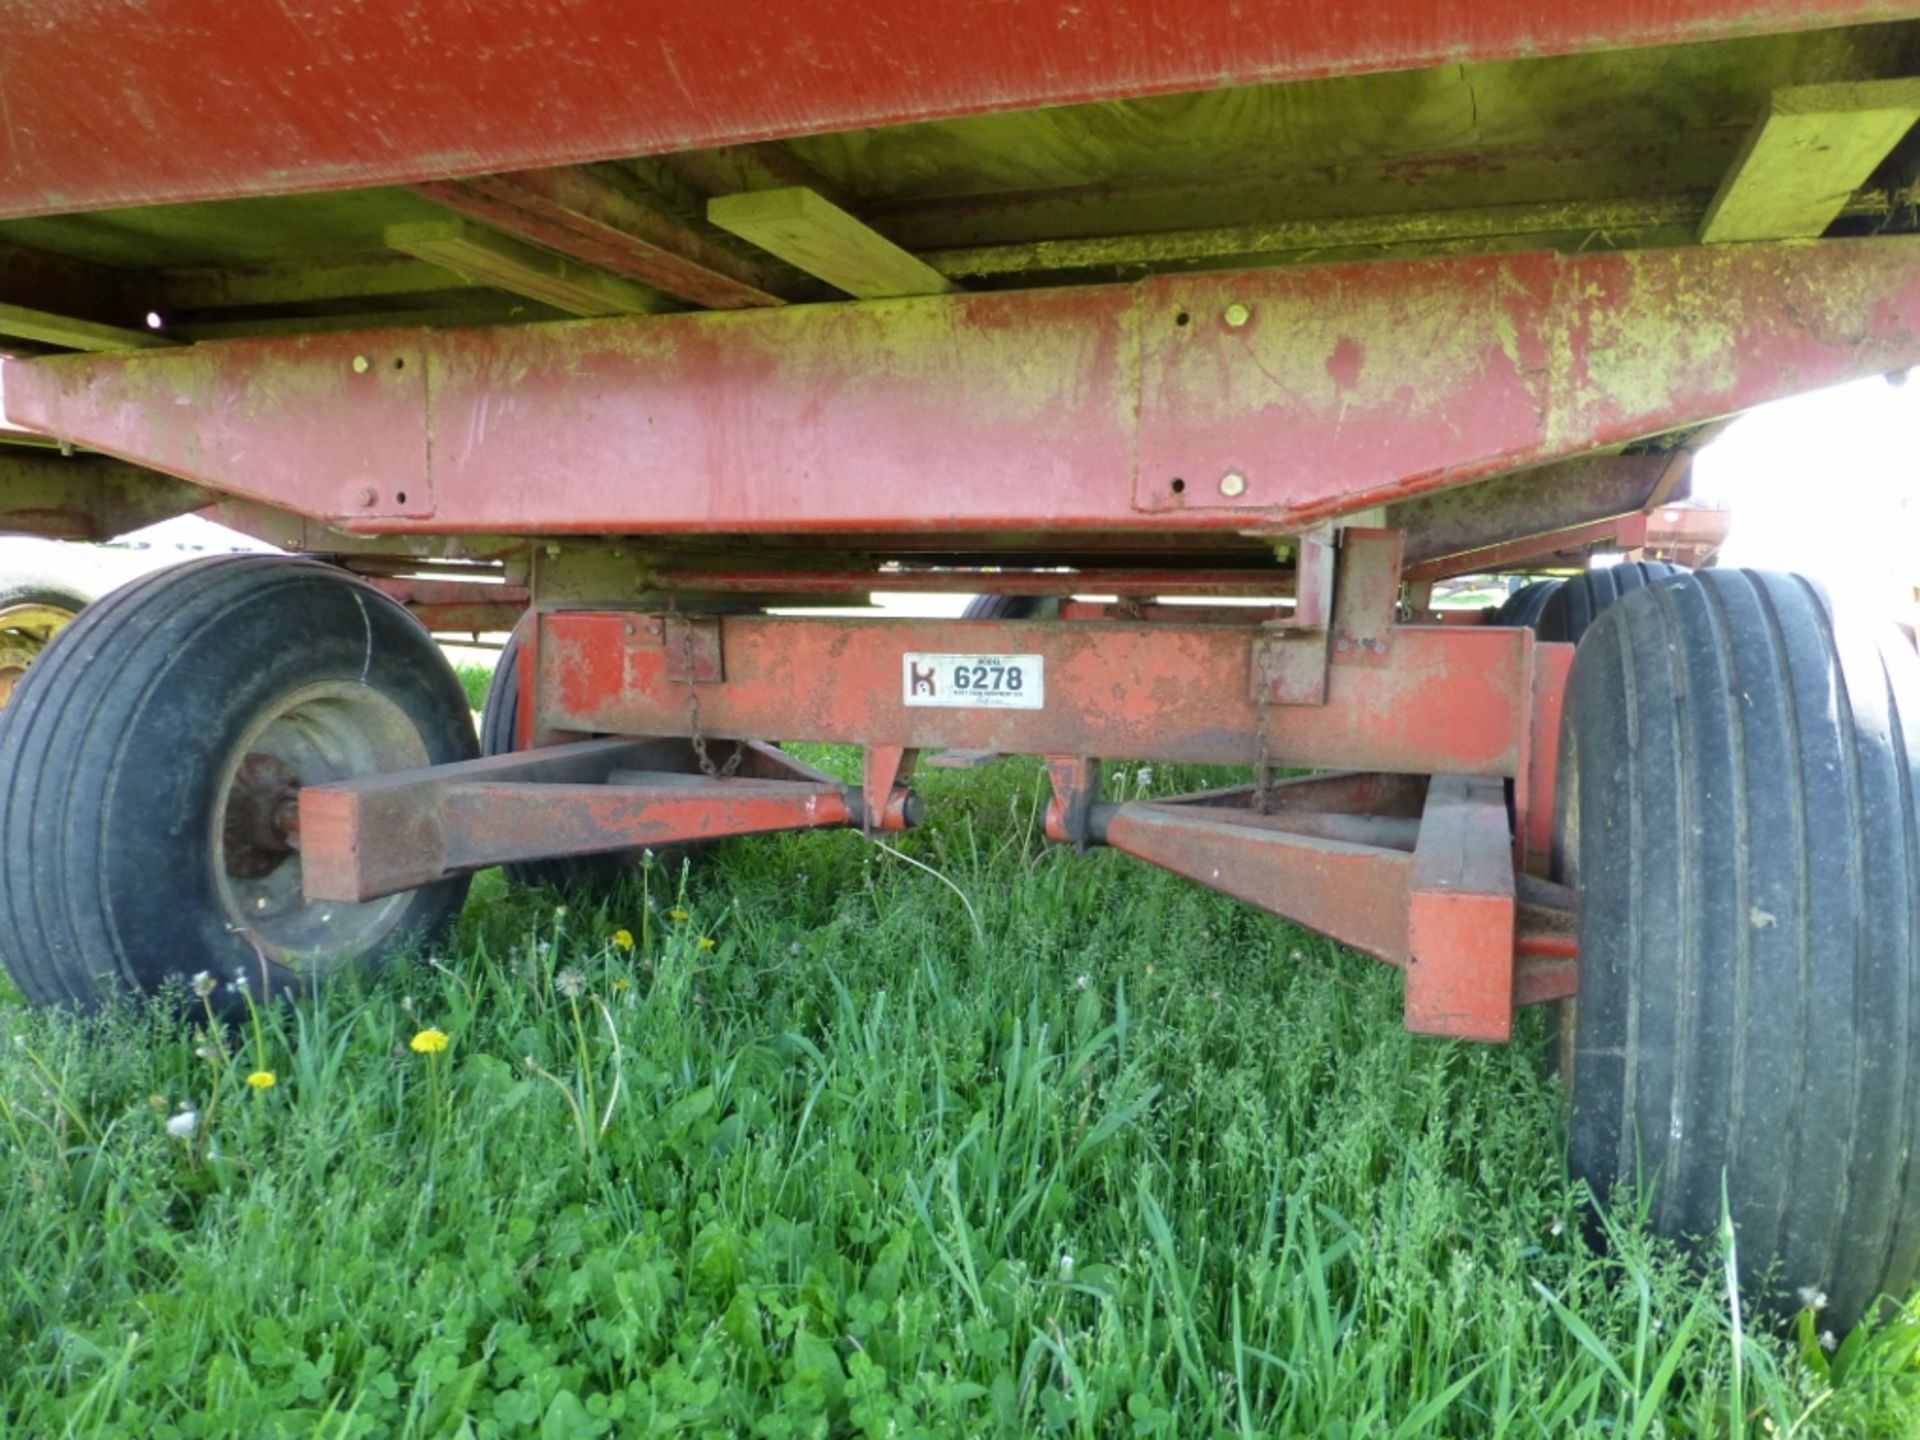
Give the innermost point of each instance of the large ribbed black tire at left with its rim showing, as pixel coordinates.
(116, 765)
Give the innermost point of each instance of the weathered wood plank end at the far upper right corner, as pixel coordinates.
(1806, 158)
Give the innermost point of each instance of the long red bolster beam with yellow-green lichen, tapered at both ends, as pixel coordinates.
(1143, 408)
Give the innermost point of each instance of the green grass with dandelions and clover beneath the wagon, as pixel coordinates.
(1088, 1153)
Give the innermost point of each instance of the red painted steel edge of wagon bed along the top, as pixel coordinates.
(201, 99)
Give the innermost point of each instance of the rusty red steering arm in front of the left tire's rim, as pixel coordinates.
(368, 838)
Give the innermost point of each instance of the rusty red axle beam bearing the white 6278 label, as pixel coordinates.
(1428, 702)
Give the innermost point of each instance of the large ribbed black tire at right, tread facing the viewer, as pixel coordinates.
(1739, 811)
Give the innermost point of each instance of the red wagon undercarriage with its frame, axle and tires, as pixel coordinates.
(1201, 348)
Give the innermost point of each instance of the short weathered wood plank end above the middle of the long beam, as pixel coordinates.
(819, 237)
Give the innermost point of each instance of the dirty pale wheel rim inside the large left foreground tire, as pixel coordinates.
(320, 734)
